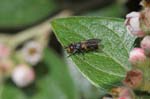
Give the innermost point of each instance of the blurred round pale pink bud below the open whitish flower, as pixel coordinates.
(23, 75)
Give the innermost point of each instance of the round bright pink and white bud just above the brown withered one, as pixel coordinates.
(137, 56)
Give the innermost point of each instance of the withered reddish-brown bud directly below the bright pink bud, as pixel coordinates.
(133, 79)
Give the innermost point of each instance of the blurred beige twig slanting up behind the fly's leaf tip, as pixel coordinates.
(38, 30)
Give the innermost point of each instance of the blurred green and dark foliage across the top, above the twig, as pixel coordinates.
(17, 15)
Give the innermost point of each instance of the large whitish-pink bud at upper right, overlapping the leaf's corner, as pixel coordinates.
(133, 24)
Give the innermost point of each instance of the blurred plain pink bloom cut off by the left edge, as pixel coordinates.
(4, 51)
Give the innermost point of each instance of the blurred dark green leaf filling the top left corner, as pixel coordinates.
(21, 13)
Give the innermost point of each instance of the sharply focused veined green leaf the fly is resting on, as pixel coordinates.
(104, 69)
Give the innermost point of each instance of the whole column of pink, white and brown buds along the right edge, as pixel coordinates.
(138, 24)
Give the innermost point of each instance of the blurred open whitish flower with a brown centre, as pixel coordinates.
(32, 52)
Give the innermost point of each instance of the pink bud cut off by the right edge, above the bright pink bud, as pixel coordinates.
(145, 44)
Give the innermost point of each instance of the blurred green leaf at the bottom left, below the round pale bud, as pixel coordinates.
(56, 83)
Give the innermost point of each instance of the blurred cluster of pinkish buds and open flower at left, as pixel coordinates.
(21, 73)
